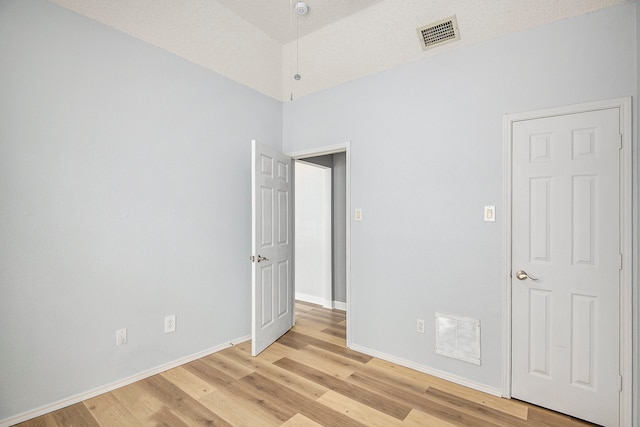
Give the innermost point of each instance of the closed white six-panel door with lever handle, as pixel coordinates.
(566, 238)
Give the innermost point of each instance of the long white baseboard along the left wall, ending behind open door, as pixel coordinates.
(117, 384)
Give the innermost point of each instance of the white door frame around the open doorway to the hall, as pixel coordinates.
(344, 147)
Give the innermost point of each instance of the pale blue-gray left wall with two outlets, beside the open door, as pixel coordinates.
(124, 197)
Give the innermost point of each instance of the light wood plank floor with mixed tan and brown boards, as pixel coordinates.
(307, 378)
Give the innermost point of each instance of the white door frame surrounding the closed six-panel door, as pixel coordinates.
(626, 242)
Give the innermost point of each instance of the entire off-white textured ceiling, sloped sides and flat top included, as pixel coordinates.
(253, 42)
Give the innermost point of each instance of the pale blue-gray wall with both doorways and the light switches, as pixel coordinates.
(427, 154)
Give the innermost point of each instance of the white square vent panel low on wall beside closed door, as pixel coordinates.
(458, 337)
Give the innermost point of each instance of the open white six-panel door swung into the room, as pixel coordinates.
(272, 246)
